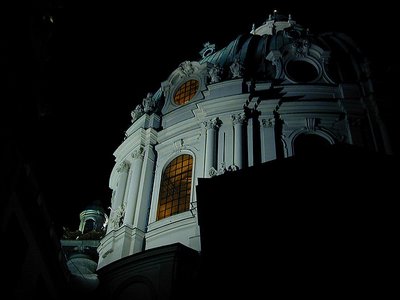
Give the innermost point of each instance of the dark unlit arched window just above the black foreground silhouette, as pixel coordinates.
(309, 144)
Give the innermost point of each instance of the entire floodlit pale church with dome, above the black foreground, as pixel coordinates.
(258, 99)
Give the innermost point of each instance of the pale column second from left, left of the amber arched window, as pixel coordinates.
(136, 171)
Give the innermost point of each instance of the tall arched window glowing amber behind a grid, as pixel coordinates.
(176, 185)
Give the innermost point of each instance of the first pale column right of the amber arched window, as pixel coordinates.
(211, 144)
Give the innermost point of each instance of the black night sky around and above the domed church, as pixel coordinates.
(103, 59)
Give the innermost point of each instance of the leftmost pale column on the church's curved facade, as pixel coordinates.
(117, 208)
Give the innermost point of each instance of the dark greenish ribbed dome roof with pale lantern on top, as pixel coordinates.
(283, 50)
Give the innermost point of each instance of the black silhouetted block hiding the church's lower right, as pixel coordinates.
(320, 225)
